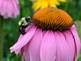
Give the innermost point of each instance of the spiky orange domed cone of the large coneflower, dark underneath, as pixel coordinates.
(52, 18)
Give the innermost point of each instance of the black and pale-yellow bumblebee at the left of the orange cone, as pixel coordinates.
(23, 23)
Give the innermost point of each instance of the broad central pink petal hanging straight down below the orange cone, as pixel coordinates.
(48, 47)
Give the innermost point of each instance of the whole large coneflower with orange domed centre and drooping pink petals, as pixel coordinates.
(51, 36)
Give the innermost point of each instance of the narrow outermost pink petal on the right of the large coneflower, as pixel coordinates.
(77, 39)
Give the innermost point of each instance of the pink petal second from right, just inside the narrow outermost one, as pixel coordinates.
(71, 44)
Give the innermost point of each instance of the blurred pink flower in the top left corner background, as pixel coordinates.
(9, 8)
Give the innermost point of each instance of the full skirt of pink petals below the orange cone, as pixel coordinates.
(42, 45)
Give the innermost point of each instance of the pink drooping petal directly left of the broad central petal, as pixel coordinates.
(34, 46)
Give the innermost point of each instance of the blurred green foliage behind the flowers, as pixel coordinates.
(9, 30)
